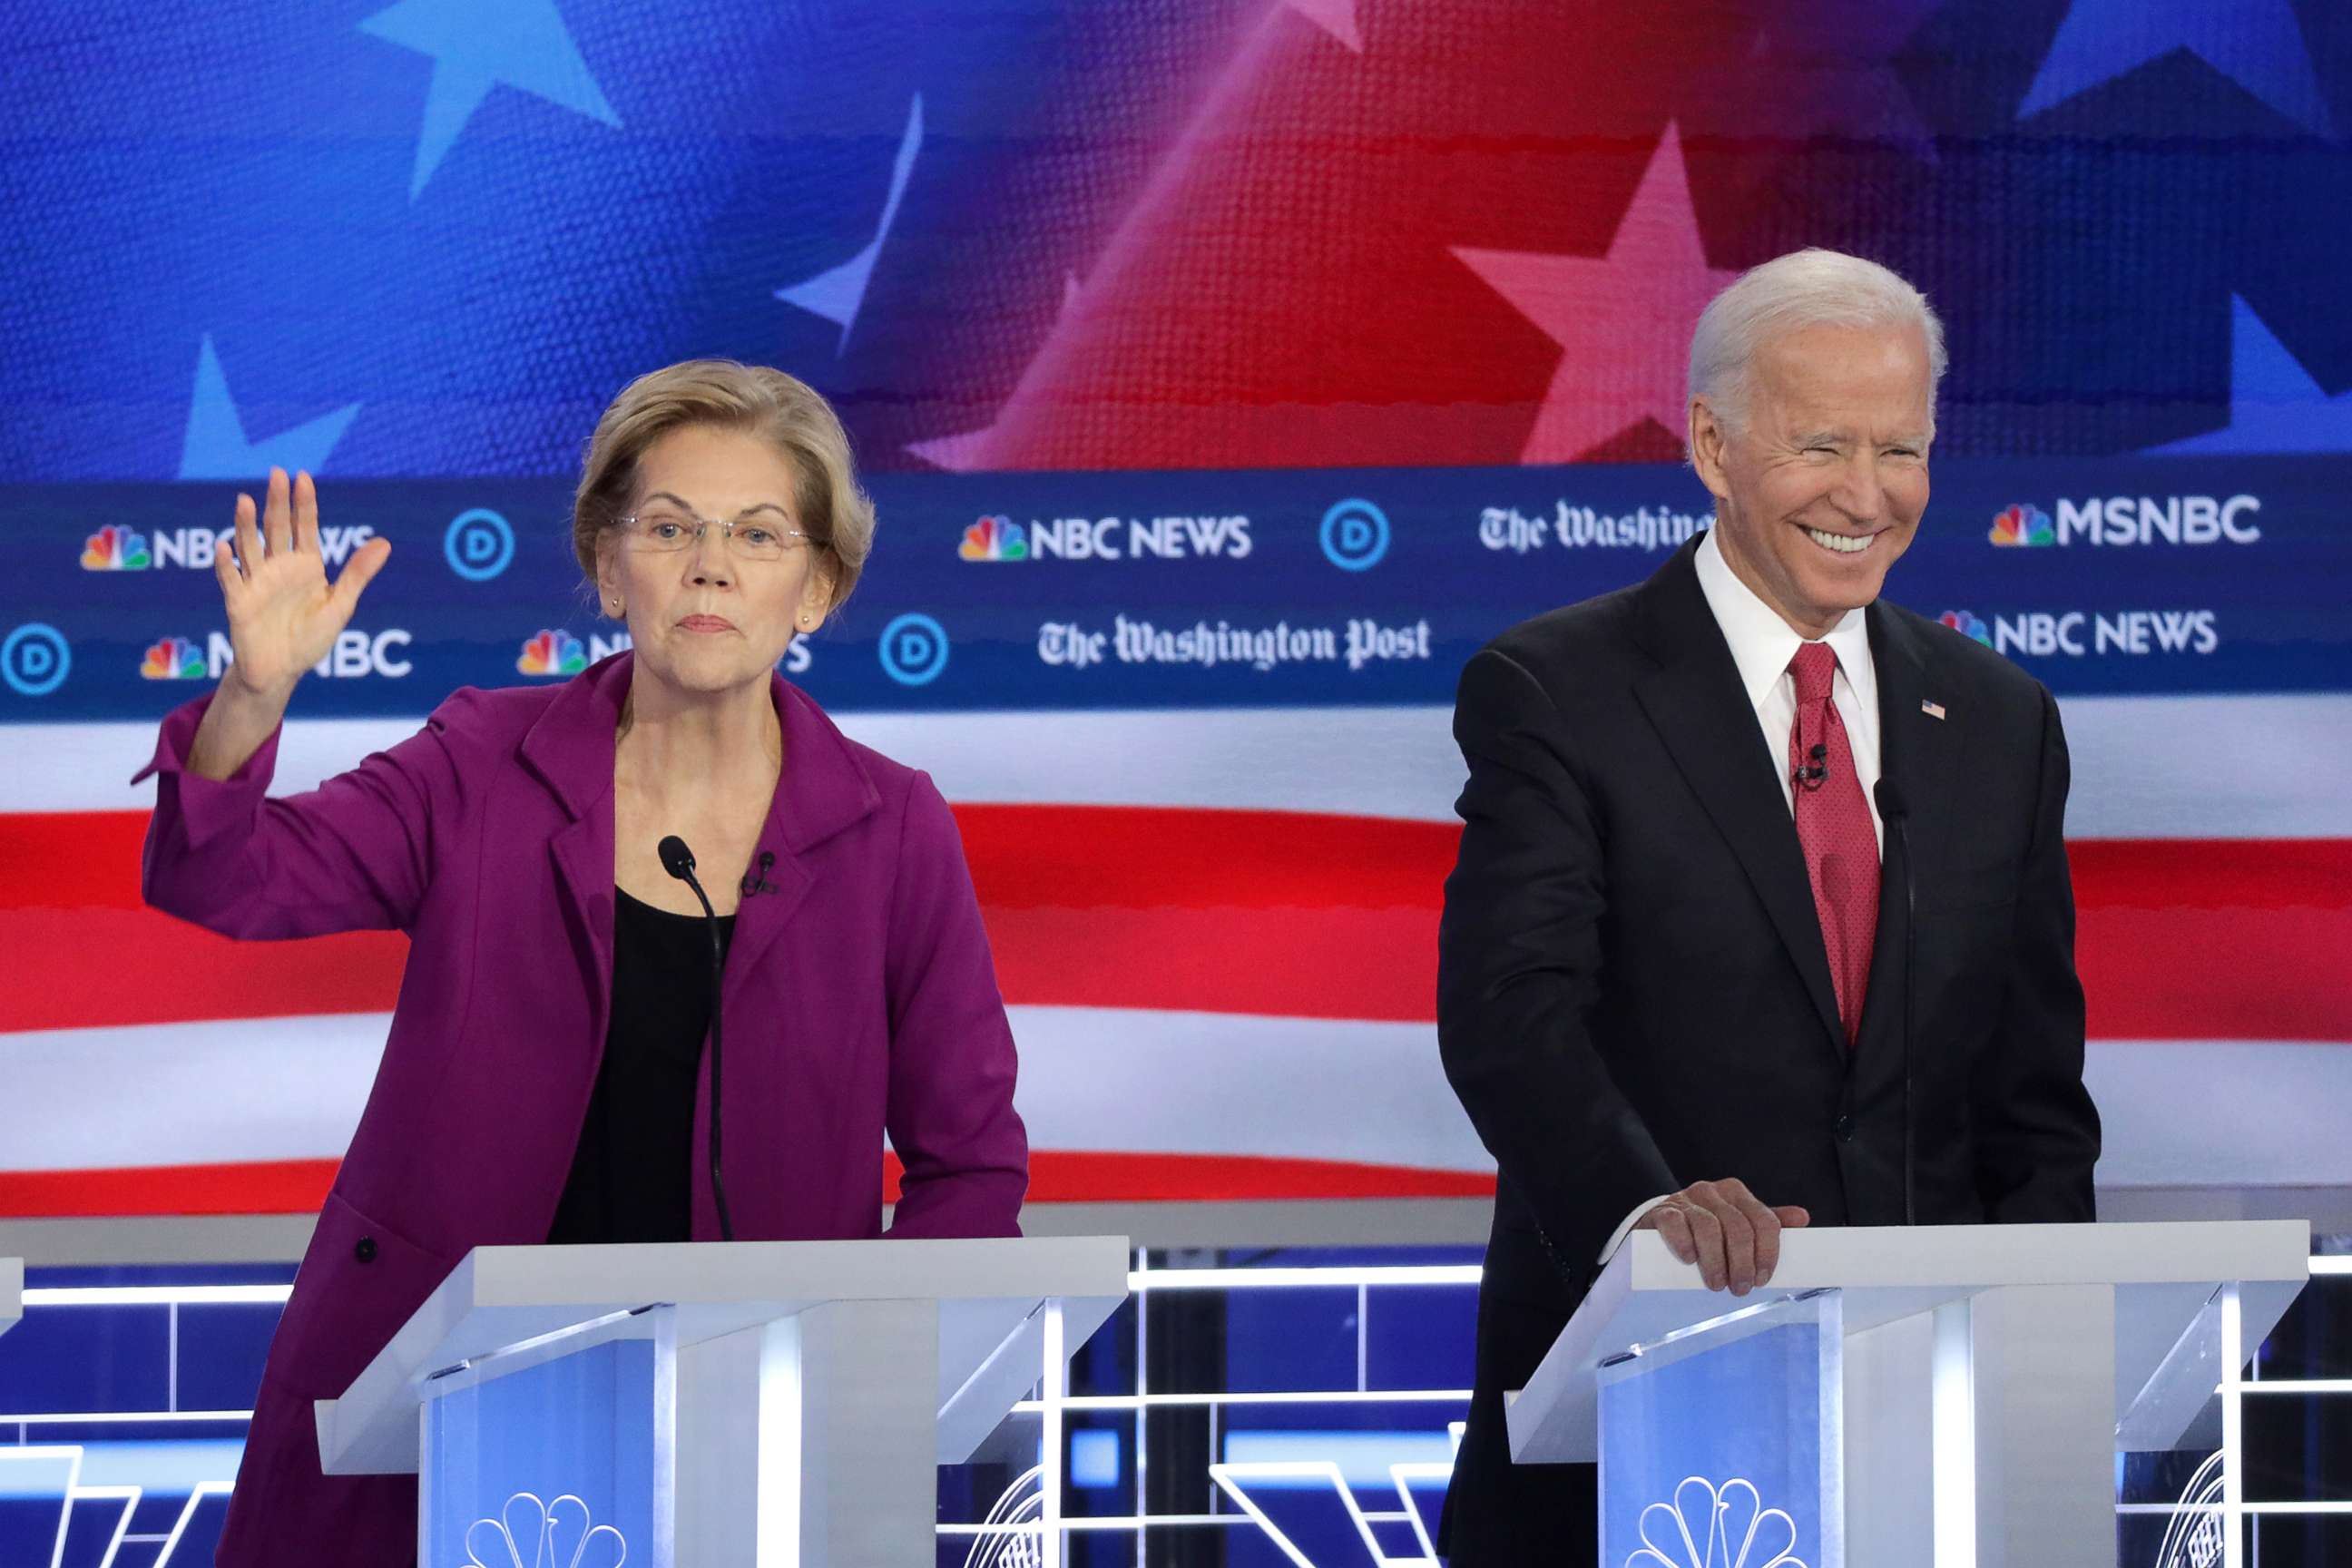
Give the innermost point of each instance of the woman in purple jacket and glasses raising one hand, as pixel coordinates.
(544, 1073)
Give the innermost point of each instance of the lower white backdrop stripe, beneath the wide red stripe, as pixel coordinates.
(1118, 1080)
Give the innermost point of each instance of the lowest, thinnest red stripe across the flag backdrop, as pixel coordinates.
(298, 1186)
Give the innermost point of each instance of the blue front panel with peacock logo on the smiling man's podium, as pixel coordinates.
(1725, 1445)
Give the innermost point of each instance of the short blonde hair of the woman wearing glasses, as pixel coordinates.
(759, 401)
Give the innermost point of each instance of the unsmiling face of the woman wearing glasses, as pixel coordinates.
(707, 619)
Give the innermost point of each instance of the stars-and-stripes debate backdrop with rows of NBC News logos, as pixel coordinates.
(1227, 373)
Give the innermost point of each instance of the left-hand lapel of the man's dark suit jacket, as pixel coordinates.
(1702, 711)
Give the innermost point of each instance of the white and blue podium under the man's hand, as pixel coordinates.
(1937, 1398)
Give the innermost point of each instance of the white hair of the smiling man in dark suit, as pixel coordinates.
(1812, 288)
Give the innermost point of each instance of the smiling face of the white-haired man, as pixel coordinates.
(1824, 485)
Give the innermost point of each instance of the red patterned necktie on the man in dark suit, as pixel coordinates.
(1833, 824)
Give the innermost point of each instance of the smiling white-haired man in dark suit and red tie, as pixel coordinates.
(1763, 906)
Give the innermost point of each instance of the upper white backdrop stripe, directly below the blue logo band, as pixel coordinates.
(2146, 768)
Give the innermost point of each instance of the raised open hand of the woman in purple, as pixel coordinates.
(283, 615)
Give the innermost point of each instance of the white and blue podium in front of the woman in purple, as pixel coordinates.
(756, 1402)
